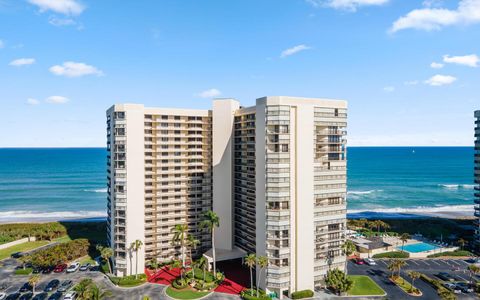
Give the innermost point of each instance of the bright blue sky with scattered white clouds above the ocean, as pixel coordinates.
(64, 62)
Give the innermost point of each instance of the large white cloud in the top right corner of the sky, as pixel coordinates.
(468, 12)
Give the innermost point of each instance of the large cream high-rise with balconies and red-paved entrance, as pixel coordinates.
(275, 173)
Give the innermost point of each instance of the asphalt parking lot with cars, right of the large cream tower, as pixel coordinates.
(430, 267)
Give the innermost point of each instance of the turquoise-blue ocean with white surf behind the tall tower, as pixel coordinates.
(56, 183)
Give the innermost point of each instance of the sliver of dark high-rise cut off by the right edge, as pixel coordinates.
(477, 180)
